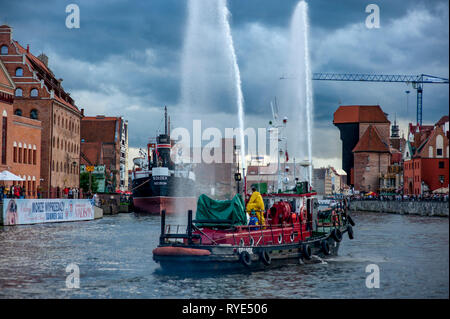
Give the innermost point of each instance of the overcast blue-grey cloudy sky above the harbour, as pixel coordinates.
(125, 59)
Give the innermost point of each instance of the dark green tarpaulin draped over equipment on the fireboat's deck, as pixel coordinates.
(210, 209)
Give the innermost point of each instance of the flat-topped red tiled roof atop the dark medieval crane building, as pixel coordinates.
(359, 114)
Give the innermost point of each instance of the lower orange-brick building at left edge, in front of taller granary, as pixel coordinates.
(21, 139)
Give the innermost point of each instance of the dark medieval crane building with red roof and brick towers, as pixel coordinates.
(353, 121)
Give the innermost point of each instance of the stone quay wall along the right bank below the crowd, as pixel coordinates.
(422, 208)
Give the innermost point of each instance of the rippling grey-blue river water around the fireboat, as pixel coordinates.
(114, 255)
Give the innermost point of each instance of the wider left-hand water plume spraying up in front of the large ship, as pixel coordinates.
(210, 77)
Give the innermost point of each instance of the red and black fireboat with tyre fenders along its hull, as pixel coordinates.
(289, 236)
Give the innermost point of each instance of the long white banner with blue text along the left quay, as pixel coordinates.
(33, 211)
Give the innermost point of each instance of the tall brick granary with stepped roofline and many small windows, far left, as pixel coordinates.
(40, 96)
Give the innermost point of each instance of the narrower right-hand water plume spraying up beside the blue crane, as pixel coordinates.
(297, 95)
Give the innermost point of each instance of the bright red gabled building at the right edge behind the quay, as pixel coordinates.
(426, 158)
